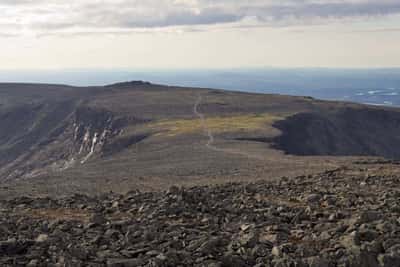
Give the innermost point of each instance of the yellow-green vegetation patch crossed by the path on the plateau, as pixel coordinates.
(246, 122)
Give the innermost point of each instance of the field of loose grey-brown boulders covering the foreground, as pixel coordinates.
(320, 221)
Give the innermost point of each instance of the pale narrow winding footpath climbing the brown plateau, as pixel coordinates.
(210, 142)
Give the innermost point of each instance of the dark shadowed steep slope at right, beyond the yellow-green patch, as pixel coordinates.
(344, 132)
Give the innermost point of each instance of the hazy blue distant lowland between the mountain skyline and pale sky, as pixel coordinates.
(371, 86)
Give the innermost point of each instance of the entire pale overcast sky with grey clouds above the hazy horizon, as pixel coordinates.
(146, 34)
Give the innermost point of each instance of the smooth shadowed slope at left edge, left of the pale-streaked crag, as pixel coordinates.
(26, 131)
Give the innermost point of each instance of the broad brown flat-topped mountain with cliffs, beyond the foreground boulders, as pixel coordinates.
(57, 139)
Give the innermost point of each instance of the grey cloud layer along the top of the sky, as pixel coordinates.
(40, 16)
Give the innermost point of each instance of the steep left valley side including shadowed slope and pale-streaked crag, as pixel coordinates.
(53, 138)
